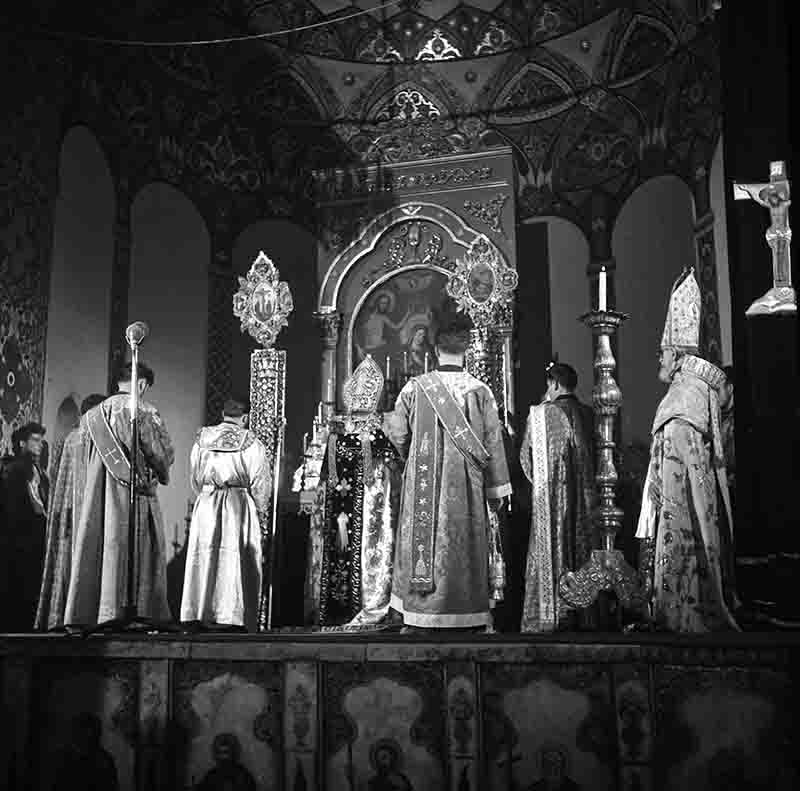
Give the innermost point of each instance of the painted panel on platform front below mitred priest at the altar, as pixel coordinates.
(383, 727)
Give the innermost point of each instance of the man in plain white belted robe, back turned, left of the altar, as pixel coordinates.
(232, 479)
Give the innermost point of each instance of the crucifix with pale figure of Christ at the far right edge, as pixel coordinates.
(775, 196)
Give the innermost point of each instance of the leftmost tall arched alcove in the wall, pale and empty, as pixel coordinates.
(79, 307)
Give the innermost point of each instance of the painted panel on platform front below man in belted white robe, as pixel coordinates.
(228, 725)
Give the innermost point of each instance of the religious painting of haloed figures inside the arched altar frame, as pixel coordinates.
(396, 322)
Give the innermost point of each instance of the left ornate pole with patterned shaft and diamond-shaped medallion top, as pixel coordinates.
(263, 303)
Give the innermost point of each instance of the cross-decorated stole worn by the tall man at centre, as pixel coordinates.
(436, 406)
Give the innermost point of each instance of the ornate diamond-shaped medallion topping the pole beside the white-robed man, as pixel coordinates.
(263, 301)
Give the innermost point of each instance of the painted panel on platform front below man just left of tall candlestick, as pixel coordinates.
(547, 727)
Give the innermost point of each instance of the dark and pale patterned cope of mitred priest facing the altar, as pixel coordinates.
(355, 580)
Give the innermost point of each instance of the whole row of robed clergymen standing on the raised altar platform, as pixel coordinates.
(406, 527)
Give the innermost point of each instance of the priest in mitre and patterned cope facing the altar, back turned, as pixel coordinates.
(351, 557)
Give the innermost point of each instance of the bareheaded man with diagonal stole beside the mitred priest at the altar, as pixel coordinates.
(445, 424)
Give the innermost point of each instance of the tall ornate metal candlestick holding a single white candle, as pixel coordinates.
(606, 569)
